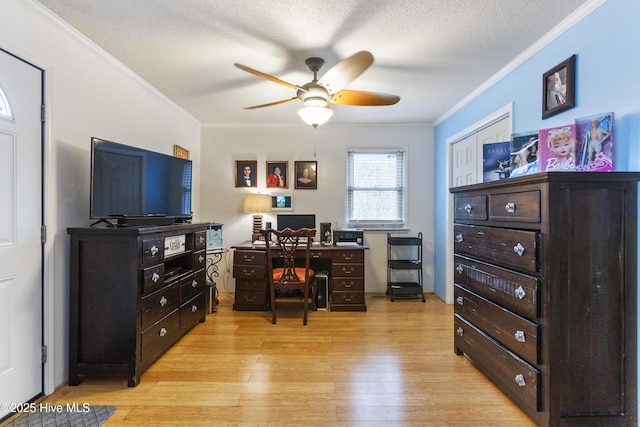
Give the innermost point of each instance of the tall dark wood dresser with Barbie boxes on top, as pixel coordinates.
(545, 293)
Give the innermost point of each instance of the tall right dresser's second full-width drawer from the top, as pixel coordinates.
(516, 291)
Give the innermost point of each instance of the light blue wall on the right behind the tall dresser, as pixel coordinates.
(607, 44)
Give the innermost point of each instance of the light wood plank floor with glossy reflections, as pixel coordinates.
(391, 366)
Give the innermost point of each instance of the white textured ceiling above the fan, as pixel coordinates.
(432, 53)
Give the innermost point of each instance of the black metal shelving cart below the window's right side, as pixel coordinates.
(404, 267)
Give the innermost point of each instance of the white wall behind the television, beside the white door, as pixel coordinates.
(88, 94)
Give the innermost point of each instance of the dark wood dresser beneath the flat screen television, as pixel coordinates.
(134, 292)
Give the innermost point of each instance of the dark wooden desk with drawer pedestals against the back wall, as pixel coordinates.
(345, 265)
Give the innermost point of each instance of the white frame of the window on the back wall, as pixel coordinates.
(402, 191)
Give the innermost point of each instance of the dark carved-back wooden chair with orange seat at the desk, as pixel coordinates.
(289, 277)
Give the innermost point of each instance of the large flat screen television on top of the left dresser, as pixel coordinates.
(138, 186)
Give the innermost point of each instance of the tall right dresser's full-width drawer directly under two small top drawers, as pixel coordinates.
(513, 248)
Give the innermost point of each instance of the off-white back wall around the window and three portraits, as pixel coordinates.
(222, 202)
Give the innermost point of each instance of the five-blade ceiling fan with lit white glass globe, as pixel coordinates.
(318, 94)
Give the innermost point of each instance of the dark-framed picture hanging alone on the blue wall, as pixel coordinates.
(558, 88)
